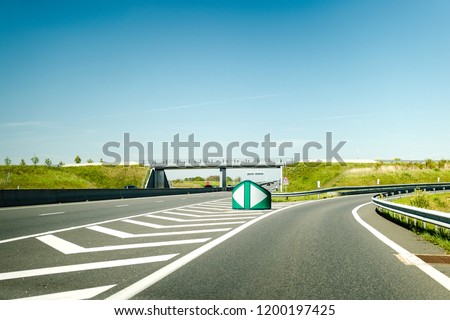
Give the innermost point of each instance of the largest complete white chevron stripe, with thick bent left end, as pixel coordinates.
(68, 247)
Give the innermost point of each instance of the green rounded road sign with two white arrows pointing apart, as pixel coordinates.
(249, 195)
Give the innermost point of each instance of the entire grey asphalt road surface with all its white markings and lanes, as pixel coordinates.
(196, 247)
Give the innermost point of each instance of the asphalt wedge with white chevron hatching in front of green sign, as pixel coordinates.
(98, 259)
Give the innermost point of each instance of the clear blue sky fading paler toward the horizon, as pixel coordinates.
(77, 74)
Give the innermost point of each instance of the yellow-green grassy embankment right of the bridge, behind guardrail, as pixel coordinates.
(302, 177)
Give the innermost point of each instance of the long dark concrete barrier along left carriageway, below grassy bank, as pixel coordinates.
(10, 198)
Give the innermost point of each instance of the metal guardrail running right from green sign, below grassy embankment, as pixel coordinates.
(366, 189)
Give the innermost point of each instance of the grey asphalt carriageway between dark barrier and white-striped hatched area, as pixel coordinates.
(28, 220)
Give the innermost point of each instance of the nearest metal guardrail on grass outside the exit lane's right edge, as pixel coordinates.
(429, 216)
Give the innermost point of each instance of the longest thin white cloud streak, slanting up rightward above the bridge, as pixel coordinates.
(187, 106)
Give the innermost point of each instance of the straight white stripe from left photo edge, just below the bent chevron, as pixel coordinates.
(83, 267)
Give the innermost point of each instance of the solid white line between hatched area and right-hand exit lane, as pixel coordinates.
(151, 279)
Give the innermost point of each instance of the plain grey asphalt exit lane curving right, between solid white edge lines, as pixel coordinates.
(312, 251)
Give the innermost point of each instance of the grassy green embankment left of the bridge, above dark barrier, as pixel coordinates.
(44, 177)
